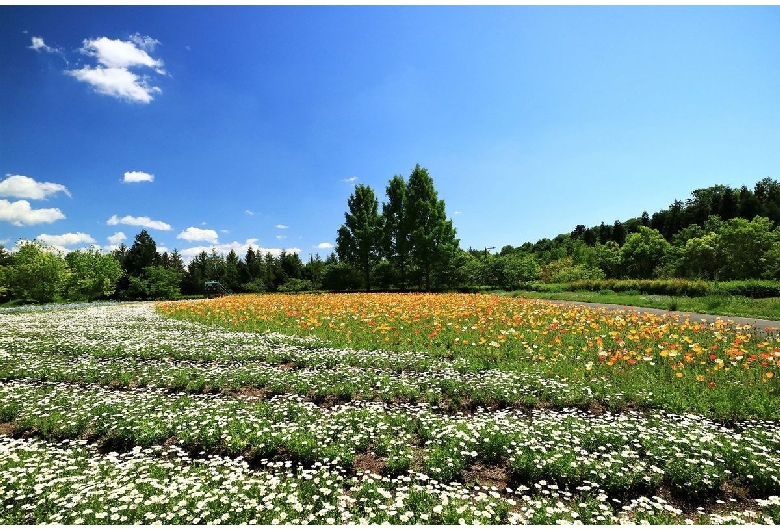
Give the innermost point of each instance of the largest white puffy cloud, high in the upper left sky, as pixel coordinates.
(115, 58)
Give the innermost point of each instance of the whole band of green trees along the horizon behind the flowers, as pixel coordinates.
(719, 233)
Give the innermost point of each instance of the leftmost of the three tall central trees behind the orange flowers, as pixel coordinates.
(358, 239)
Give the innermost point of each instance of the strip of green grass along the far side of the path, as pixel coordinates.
(723, 305)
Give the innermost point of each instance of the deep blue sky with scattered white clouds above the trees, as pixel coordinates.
(251, 125)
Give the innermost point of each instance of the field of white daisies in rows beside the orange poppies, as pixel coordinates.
(117, 414)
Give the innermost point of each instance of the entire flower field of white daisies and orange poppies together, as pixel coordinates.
(371, 408)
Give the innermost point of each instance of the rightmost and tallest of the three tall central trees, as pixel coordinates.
(432, 236)
